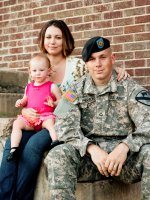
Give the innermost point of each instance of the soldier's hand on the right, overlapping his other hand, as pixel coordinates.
(116, 159)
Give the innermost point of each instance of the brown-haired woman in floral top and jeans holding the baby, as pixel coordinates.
(18, 178)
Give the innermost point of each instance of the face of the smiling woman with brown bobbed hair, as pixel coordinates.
(53, 41)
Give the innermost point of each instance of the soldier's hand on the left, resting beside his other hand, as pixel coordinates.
(99, 158)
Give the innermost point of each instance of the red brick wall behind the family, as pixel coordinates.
(125, 22)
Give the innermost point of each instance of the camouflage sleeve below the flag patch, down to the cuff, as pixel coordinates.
(68, 127)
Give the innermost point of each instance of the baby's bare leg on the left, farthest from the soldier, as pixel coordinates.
(18, 125)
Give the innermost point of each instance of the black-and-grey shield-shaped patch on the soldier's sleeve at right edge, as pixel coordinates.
(143, 97)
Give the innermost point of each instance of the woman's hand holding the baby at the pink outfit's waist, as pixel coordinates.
(30, 114)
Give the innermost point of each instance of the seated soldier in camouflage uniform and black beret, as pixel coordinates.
(105, 125)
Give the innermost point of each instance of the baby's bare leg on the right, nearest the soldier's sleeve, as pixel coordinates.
(49, 125)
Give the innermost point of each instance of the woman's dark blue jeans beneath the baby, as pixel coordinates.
(18, 178)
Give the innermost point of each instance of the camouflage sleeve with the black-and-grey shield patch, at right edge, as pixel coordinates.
(139, 111)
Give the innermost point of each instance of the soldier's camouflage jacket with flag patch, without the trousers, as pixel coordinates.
(118, 112)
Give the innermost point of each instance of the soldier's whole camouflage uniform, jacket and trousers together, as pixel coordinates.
(120, 112)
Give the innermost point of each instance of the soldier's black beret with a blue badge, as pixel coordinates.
(93, 45)
